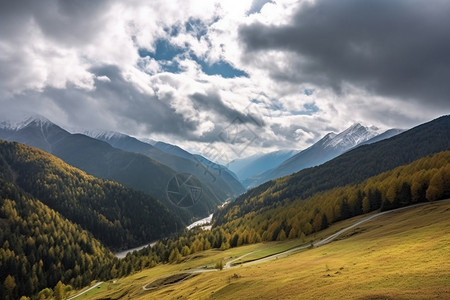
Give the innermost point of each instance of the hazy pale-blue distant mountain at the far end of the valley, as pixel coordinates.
(258, 163)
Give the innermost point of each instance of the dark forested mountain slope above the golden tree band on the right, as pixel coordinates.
(349, 168)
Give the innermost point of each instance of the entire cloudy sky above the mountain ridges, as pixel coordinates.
(226, 78)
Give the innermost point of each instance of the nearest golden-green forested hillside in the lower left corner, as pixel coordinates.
(39, 247)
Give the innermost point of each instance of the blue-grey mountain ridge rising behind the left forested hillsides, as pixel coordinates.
(100, 159)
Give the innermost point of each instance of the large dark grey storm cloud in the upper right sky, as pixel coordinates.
(397, 48)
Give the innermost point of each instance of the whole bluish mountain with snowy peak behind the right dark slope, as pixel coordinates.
(325, 149)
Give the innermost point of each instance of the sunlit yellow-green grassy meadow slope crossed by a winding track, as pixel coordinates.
(401, 255)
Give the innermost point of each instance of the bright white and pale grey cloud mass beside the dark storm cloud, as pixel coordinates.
(47, 58)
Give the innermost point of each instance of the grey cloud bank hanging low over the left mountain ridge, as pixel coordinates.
(114, 105)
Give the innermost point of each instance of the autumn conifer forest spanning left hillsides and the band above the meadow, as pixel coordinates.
(48, 248)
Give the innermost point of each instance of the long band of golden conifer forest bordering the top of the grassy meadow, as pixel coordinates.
(427, 179)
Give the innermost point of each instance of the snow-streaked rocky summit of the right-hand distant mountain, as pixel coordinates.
(352, 136)
